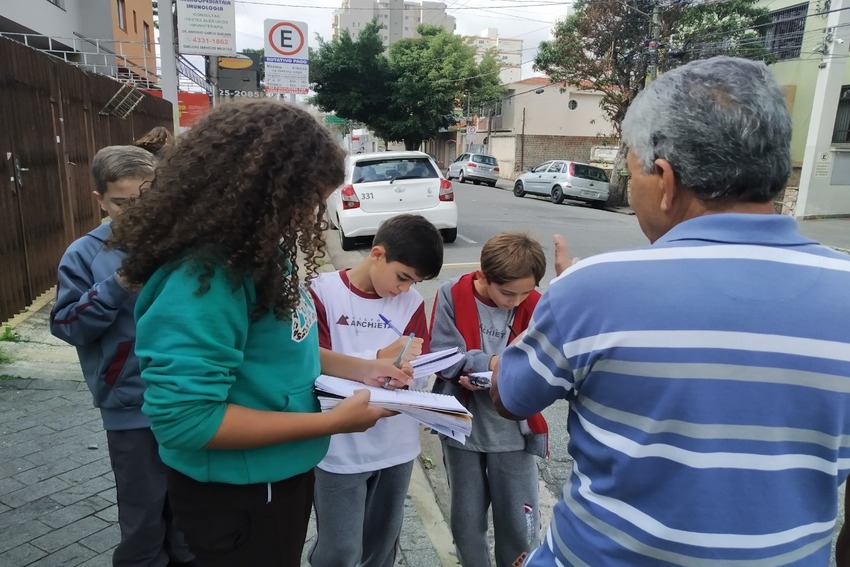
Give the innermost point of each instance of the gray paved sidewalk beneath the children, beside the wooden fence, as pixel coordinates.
(57, 495)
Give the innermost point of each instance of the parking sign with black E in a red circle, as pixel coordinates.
(286, 57)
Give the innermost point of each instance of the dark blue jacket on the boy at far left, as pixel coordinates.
(95, 314)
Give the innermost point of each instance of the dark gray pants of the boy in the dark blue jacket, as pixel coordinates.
(148, 535)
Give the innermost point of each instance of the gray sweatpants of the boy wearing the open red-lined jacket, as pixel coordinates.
(508, 481)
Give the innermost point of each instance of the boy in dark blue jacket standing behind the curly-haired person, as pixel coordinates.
(94, 312)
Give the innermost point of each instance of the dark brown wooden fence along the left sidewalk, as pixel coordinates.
(50, 129)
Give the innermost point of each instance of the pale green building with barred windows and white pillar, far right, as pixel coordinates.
(811, 42)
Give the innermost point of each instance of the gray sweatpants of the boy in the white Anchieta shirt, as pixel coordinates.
(359, 516)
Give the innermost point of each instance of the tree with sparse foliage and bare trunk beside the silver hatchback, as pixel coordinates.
(604, 46)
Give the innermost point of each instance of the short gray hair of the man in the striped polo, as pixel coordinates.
(722, 123)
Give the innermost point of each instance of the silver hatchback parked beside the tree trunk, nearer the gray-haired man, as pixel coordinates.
(560, 179)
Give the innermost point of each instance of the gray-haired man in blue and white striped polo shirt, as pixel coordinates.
(708, 375)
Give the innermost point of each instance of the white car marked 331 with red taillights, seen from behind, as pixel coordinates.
(381, 185)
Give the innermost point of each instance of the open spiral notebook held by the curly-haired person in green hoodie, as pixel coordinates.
(444, 414)
